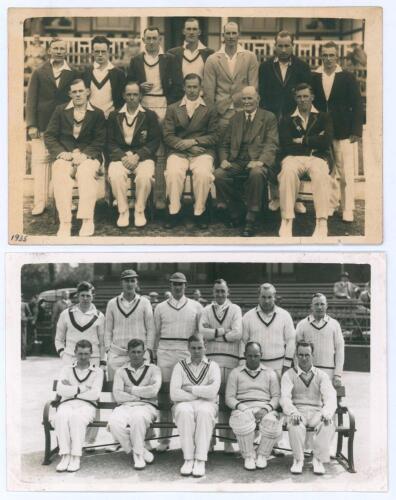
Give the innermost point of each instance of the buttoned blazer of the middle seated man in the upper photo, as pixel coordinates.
(203, 127)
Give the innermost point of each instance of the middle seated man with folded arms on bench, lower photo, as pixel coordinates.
(194, 386)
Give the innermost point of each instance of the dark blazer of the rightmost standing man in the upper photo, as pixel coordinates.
(344, 104)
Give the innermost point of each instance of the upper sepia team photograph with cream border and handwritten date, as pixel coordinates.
(247, 126)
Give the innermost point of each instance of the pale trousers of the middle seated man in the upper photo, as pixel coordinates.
(202, 177)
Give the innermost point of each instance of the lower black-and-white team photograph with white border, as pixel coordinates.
(189, 372)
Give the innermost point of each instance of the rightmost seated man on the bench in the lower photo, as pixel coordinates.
(308, 399)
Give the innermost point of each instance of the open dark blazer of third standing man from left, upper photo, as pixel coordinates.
(170, 74)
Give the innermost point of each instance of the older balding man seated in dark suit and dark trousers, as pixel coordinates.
(247, 151)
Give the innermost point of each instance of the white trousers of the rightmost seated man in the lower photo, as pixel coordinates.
(322, 436)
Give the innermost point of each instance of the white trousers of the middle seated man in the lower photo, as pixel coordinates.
(195, 421)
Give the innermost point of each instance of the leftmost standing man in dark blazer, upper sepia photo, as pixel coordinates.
(48, 87)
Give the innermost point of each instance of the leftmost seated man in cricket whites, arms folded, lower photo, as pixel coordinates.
(79, 387)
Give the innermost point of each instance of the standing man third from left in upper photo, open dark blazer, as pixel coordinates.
(158, 74)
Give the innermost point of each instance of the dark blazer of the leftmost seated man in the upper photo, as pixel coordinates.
(59, 134)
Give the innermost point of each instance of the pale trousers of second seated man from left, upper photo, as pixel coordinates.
(119, 180)
